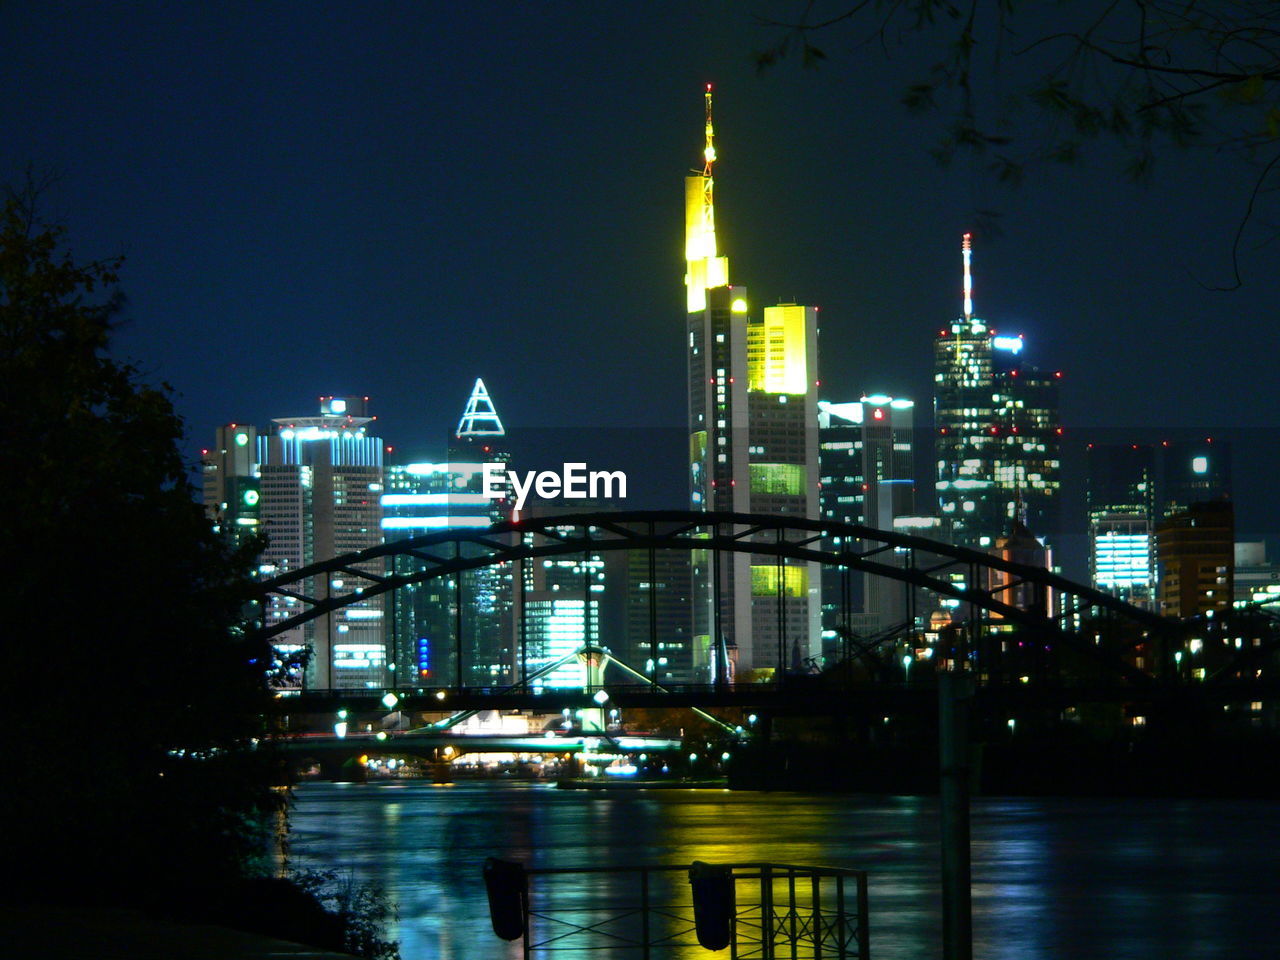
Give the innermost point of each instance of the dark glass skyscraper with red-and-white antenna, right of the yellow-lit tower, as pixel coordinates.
(999, 432)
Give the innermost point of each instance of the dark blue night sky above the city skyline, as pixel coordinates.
(395, 199)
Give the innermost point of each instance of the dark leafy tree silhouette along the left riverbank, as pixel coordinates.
(132, 693)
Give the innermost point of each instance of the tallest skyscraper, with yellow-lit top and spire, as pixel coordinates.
(753, 444)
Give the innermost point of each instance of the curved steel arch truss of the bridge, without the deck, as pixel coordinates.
(980, 584)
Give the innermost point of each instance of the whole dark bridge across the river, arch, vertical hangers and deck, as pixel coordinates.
(1099, 633)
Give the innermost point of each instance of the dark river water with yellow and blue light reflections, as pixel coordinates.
(1054, 880)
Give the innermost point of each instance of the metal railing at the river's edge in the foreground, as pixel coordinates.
(779, 912)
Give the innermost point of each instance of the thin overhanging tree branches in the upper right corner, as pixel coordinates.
(1026, 84)
